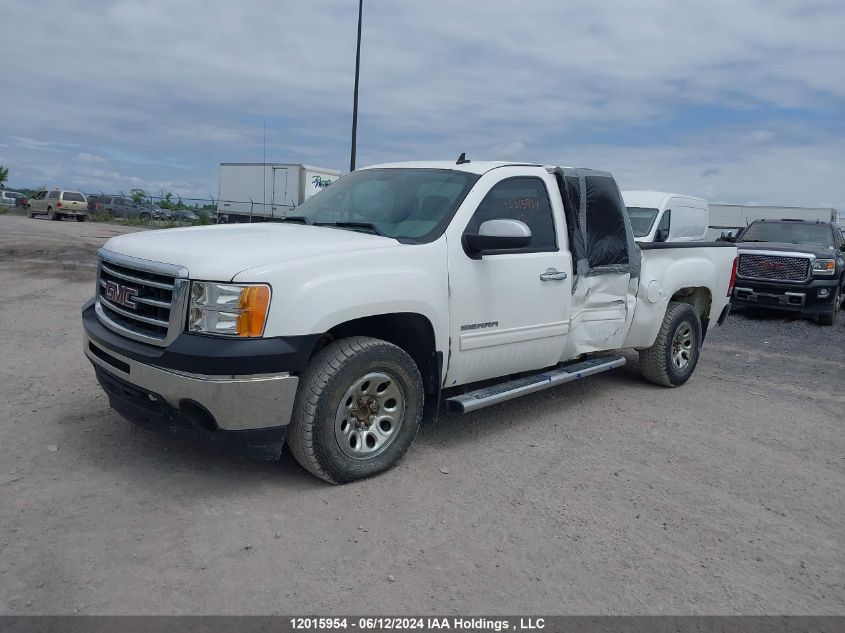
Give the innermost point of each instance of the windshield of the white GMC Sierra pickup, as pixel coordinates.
(406, 204)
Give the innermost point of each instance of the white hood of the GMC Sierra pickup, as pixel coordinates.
(220, 252)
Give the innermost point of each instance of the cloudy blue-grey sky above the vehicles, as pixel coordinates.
(736, 100)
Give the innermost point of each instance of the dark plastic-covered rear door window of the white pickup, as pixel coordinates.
(607, 242)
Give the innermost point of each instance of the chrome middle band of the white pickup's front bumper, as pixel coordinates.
(236, 402)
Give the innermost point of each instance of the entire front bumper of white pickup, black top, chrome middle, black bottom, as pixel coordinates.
(207, 388)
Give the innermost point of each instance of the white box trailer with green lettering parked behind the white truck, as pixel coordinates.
(263, 191)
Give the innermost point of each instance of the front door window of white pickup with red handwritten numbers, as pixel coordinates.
(523, 199)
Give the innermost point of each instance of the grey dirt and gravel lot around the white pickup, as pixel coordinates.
(605, 496)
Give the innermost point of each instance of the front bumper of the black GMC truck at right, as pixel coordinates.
(815, 297)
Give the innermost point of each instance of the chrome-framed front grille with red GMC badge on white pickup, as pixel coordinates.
(138, 303)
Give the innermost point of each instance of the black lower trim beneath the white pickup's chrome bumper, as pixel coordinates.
(150, 411)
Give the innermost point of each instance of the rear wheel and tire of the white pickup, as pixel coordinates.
(658, 363)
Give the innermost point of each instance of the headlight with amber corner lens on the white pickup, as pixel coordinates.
(228, 309)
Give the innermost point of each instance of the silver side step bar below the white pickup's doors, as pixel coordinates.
(486, 396)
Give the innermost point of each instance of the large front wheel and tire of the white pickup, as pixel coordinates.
(344, 379)
